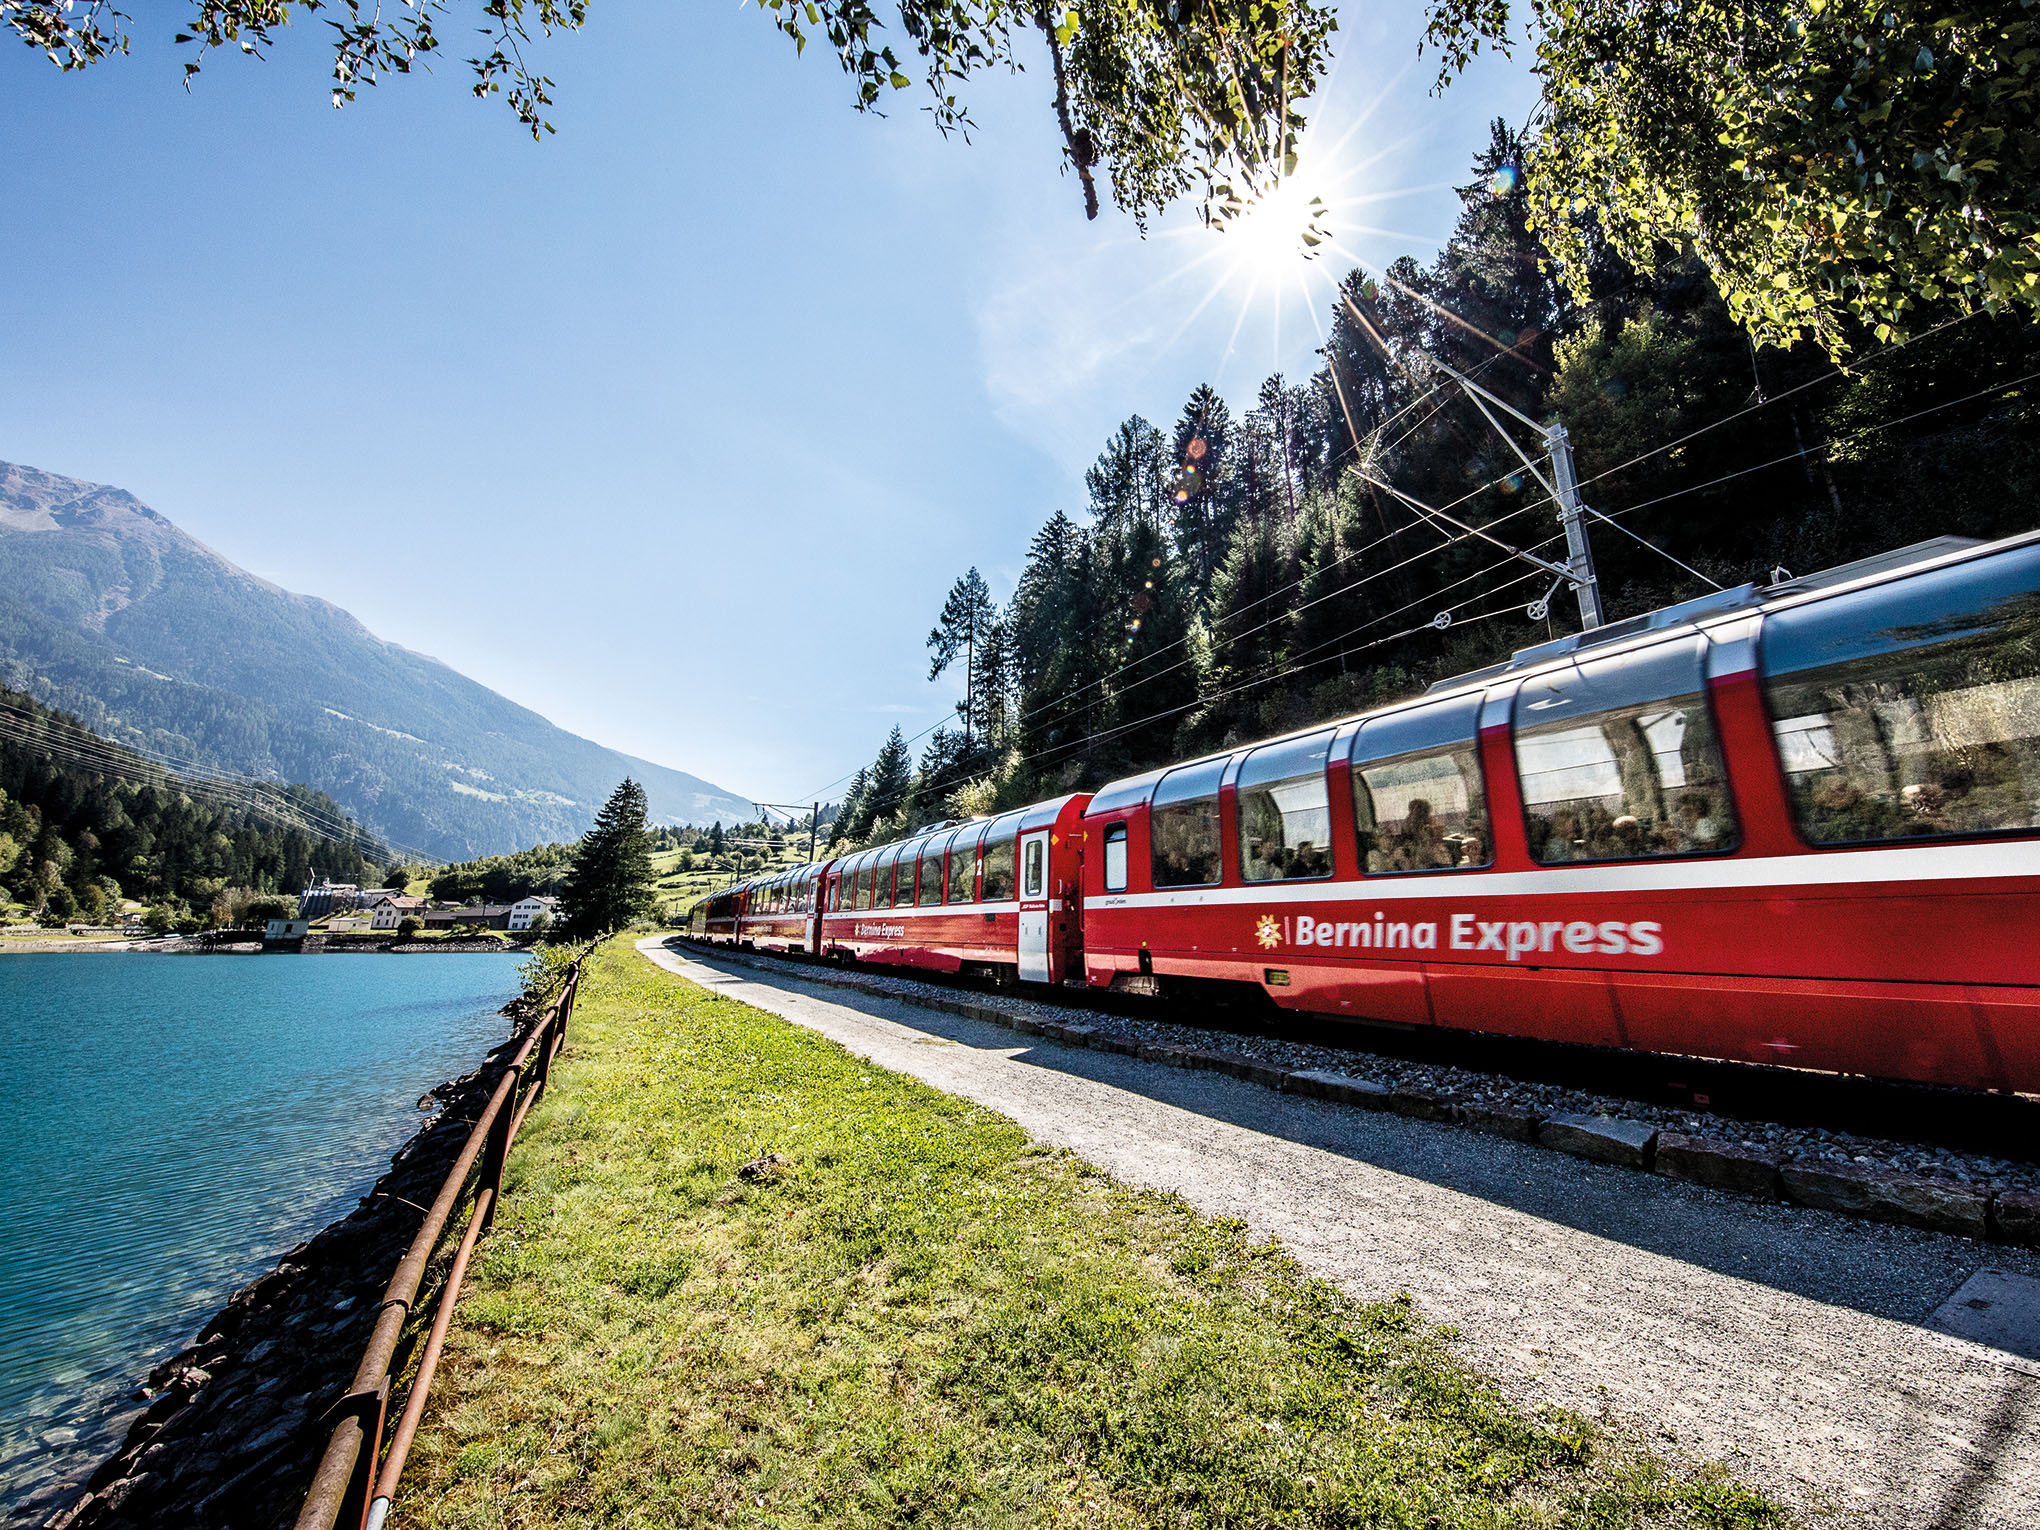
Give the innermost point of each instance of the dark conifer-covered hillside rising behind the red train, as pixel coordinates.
(1233, 574)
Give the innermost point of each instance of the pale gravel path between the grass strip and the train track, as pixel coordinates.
(1780, 1341)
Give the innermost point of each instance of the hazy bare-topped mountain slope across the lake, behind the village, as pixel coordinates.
(111, 613)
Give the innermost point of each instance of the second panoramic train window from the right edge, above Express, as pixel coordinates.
(1619, 760)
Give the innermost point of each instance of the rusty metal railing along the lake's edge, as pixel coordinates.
(350, 1488)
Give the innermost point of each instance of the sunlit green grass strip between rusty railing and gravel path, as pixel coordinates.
(921, 1319)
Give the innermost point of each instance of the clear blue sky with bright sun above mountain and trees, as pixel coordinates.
(678, 425)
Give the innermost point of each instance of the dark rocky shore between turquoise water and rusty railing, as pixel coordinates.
(232, 1429)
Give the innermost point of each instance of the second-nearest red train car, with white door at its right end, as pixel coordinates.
(992, 897)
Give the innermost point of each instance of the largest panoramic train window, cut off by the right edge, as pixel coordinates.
(1912, 711)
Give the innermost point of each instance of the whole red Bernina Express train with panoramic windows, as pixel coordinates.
(1784, 825)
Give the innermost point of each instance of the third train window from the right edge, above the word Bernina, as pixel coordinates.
(1419, 801)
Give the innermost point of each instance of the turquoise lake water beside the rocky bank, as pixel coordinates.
(168, 1129)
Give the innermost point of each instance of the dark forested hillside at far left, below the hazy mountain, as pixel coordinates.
(87, 823)
